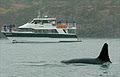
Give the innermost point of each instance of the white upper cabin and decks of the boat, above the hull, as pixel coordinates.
(47, 25)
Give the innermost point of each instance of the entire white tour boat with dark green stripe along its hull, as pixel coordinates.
(44, 29)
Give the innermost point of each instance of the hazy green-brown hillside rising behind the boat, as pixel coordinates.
(95, 18)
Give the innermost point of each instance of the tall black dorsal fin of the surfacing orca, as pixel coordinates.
(104, 53)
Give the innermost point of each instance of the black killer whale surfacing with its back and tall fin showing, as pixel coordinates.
(102, 58)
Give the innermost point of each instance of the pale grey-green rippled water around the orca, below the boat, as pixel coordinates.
(43, 59)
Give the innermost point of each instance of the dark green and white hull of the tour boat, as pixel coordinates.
(33, 37)
